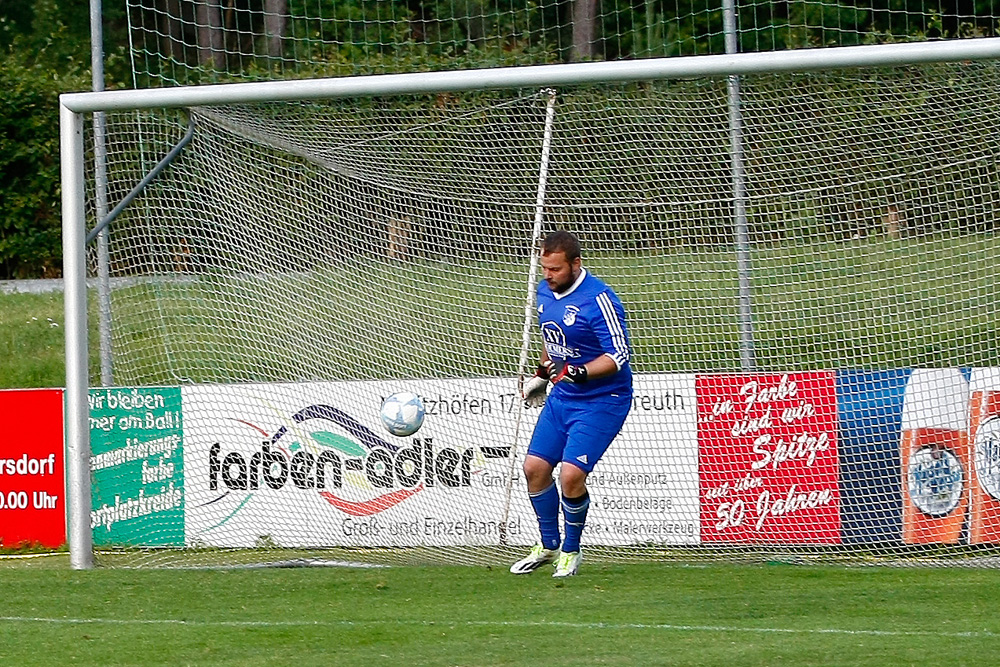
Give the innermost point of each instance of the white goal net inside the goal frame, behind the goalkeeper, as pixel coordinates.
(300, 261)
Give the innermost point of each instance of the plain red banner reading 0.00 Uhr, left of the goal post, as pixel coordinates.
(32, 496)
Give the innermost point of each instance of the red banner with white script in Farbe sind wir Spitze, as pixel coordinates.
(767, 458)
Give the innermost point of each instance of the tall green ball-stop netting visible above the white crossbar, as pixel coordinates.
(195, 41)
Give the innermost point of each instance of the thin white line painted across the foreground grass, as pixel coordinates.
(986, 634)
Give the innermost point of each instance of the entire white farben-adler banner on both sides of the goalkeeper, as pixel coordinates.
(310, 465)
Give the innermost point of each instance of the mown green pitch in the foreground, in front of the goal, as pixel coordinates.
(662, 614)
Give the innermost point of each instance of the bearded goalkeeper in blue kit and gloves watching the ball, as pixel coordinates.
(585, 355)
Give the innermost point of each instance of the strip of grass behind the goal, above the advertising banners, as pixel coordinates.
(866, 304)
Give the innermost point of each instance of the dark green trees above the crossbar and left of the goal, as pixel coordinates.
(45, 50)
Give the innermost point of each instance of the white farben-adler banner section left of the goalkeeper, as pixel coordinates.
(309, 465)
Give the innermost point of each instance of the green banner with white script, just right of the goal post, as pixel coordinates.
(137, 466)
